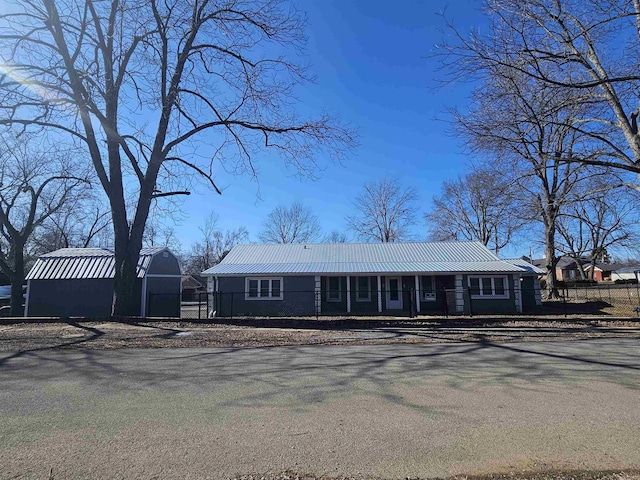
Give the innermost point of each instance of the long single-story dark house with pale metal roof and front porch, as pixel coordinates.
(365, 279)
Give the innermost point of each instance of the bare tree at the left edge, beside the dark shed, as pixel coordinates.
(33, 187)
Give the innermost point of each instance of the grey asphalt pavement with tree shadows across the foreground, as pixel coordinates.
(390, 411)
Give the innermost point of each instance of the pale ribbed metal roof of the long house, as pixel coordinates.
(379, 258)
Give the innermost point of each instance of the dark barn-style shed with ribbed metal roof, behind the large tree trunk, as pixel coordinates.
(78, 282)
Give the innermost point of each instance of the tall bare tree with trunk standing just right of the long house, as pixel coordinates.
(532, 130)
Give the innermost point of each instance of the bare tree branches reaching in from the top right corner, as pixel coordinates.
(582, 46)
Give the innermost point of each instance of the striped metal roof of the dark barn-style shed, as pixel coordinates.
(77, 263)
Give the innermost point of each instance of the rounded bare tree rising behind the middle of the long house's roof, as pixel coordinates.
(385, 211)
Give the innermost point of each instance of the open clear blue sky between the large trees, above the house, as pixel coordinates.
(373, 71)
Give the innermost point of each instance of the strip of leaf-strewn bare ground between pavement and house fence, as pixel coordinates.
(108, 335)
